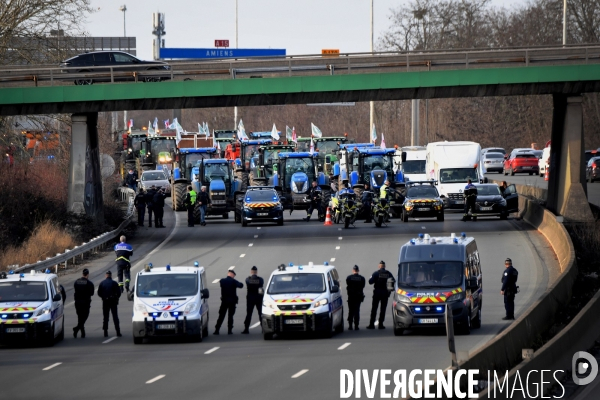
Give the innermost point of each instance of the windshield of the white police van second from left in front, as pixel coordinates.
(165, 285)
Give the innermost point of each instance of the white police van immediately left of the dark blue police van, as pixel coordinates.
(303, 298)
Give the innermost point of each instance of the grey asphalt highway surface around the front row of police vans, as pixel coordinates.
(293, 368)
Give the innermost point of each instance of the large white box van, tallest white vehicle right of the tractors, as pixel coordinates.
(451, 164)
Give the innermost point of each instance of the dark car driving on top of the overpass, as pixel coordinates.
(100, 61)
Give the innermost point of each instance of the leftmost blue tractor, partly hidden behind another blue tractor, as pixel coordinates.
(186, 171)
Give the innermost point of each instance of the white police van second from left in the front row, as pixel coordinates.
(170, 302)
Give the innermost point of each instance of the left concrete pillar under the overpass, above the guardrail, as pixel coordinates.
(85, 179)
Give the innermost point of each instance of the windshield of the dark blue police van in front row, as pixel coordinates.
(430, 274)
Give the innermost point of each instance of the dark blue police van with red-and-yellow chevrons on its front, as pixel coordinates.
(435, 273)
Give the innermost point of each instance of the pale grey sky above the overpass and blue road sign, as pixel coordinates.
(300, 27)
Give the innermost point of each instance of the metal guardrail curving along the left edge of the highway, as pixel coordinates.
(125, 194)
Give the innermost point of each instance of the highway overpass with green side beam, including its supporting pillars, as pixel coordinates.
(564, 72)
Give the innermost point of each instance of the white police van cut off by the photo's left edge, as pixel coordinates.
(31, 308)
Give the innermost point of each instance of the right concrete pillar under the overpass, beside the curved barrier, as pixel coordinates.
(567, 189)
